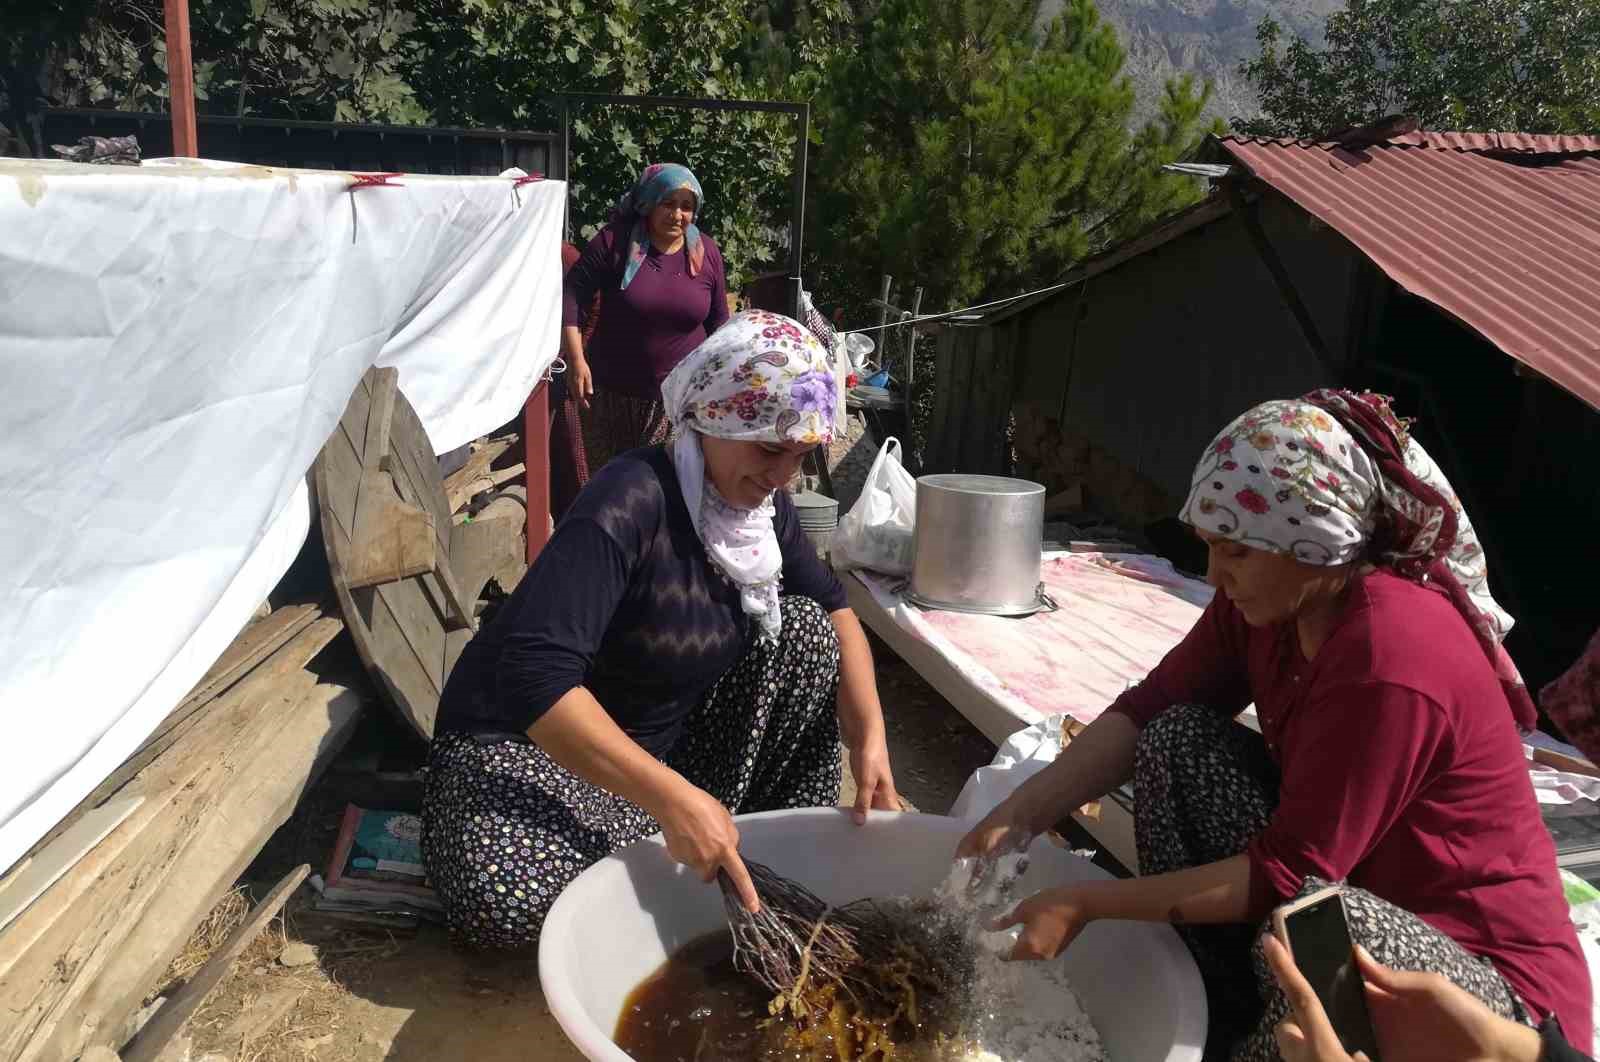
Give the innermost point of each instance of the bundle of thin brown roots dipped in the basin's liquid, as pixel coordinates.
(850, 981)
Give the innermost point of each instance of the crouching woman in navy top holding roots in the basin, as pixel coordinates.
(678, 655)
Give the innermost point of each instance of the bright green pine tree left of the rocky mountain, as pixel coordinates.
(974, 156)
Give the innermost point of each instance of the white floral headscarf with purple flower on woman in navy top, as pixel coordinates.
(761, 378)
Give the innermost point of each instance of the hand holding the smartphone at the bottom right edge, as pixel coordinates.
(1415, 1018)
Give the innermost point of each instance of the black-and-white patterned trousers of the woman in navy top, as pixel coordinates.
(506, 829)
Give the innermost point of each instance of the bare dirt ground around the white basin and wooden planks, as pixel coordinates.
(370, 996)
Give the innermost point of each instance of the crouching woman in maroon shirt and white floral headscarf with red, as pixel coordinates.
(1354, 612)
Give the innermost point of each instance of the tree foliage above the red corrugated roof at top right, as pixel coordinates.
(1530, 66)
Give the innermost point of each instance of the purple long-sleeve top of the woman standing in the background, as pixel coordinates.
(646, 330)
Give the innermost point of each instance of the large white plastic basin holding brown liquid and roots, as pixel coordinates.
(620, 920)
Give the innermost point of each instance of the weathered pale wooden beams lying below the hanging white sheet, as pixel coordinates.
(206, 794)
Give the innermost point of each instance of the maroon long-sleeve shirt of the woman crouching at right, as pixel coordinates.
(1402, 773)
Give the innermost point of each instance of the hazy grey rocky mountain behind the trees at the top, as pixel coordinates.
(1202, 38)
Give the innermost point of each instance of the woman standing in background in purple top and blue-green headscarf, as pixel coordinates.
(663, 290)
